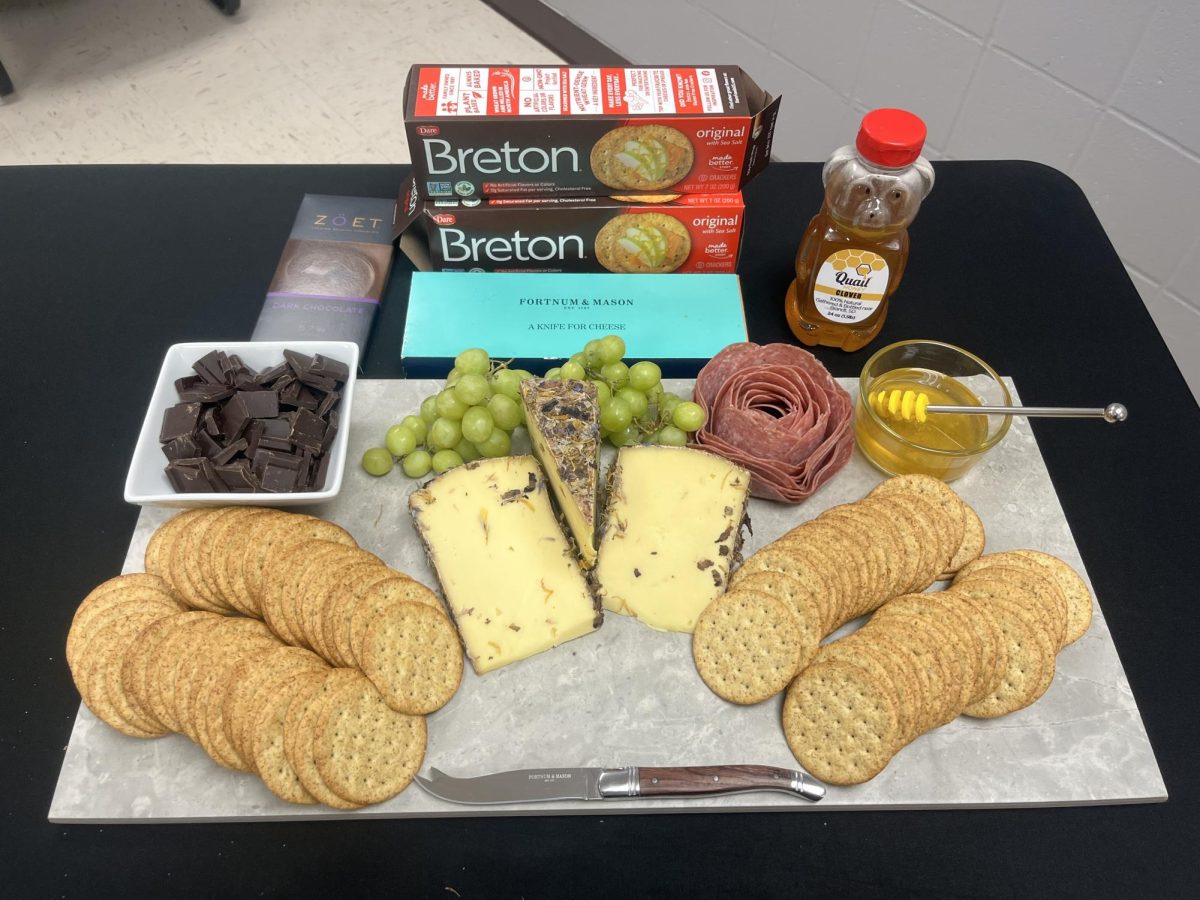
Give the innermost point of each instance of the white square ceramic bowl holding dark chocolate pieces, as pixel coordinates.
(147, 485)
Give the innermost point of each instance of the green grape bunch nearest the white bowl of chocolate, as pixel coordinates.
(473, 417)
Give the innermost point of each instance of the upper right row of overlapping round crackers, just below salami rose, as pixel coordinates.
(784, 601)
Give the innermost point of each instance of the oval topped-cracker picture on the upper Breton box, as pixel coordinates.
(643, 158)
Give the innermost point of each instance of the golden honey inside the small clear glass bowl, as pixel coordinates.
(945, 446)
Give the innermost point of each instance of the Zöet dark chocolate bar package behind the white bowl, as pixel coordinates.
(333, 273)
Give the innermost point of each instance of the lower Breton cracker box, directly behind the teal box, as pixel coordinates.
(683, 233)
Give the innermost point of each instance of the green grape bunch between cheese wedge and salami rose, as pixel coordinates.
(634, 407)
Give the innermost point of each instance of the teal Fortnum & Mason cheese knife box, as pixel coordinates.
(541, 320)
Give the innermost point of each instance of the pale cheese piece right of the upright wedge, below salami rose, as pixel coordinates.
(673, 529)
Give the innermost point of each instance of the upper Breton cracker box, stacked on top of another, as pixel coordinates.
(481, 131)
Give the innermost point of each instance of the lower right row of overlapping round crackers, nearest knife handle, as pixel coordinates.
(986, 647)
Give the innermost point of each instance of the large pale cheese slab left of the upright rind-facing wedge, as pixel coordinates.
(508, 572)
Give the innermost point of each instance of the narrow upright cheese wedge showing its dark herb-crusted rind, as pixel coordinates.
(563, 419)
